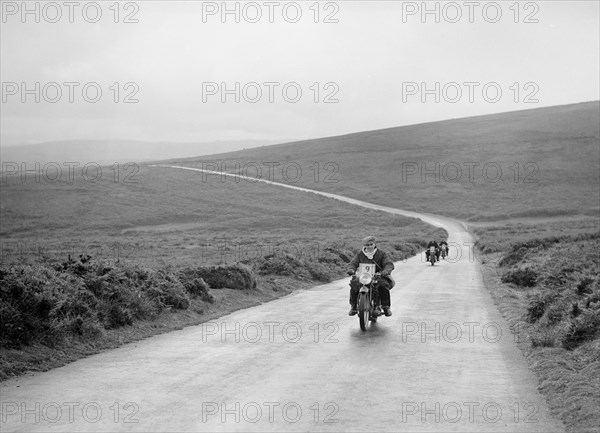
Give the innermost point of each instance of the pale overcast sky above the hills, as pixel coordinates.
(196, 71)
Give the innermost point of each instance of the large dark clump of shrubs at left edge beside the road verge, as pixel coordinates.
(77, 299)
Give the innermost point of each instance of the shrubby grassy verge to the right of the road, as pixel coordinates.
(544, 278)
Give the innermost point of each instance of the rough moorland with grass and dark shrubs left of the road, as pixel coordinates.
(147, 239)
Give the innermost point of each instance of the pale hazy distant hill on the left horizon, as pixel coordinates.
(111, 151)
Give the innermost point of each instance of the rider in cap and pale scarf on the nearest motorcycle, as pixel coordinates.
(384, 265)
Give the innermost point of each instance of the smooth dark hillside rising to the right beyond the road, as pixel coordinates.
(527, 163)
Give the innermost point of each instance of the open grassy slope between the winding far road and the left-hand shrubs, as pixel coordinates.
(167, 216)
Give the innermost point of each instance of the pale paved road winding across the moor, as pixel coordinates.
(445, 361)
